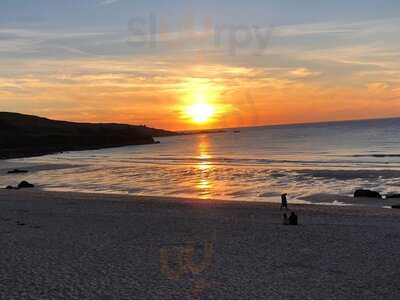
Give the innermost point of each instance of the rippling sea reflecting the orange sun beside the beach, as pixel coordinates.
(250, 164)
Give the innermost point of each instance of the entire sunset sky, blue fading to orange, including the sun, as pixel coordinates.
(200, 64)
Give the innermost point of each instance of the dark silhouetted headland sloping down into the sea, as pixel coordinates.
(25, 135)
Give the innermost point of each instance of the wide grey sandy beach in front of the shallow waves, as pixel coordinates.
(85, 246)
